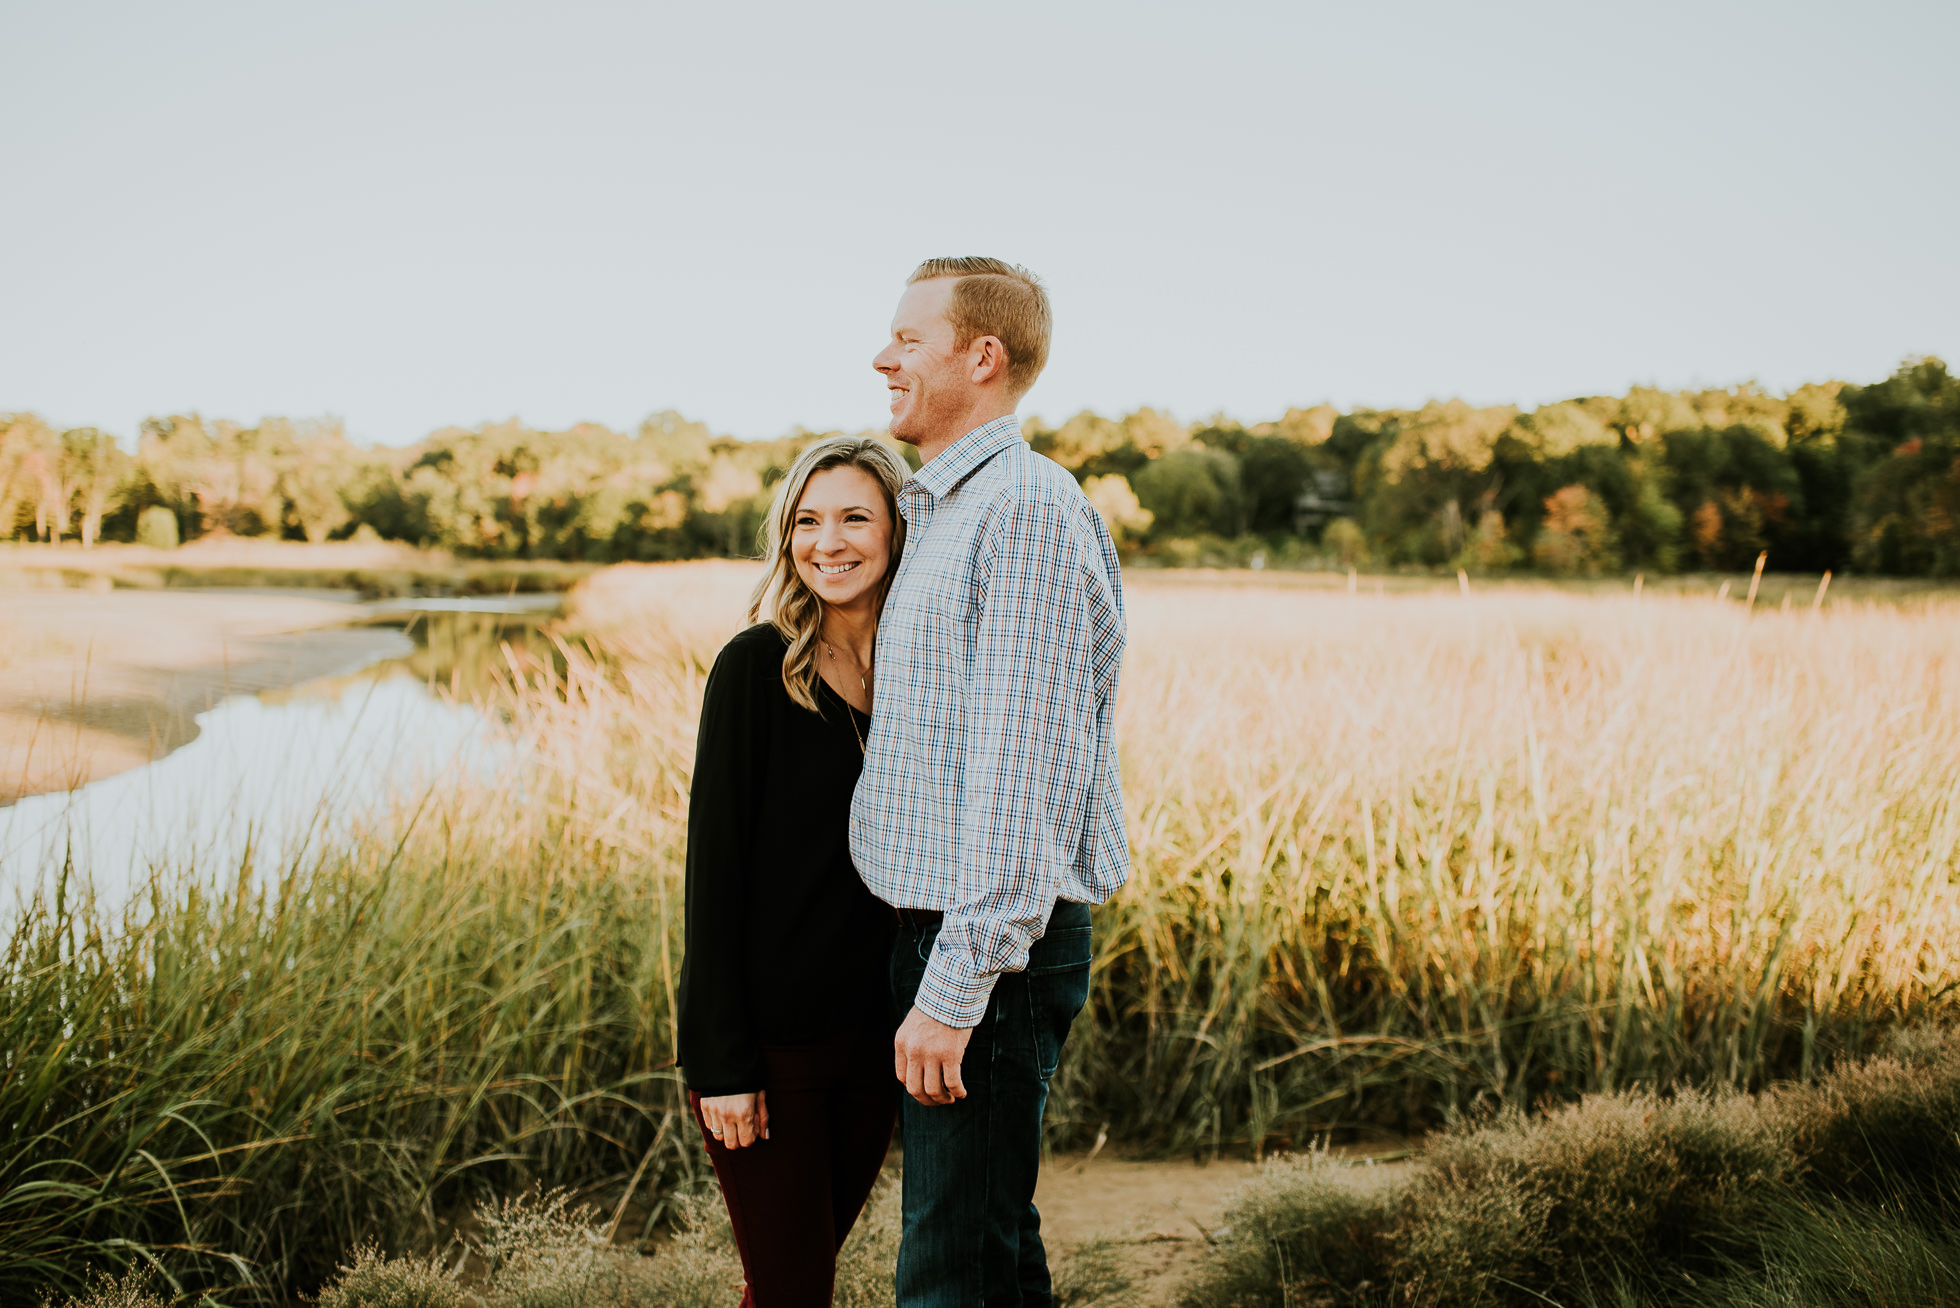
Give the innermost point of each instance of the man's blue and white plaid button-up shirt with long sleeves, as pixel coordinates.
(991, 783)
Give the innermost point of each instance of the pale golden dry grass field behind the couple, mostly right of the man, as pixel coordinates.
(1406, 854)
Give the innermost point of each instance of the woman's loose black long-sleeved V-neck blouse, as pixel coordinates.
(785, 946)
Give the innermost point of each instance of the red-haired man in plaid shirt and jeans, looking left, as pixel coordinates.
(991, 813)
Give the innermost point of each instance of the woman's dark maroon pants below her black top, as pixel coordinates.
(795, 1195)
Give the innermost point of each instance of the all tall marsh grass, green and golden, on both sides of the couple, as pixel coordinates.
(1393, 858)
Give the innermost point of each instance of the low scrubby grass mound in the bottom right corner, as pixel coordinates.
(1836, 1193)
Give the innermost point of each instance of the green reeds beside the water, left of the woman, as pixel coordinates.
(242, 1087)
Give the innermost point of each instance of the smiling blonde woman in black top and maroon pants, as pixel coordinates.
(785, 993)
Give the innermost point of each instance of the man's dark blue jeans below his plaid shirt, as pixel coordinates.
(973, 1236)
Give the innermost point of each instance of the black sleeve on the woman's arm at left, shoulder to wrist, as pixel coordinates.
(716, 1040)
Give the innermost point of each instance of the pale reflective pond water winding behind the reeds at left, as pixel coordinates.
(281, 776)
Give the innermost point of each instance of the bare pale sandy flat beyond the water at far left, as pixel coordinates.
(101, 681)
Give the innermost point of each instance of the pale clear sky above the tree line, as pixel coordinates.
(415, 215)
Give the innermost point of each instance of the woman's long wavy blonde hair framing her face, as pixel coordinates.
(781, 599)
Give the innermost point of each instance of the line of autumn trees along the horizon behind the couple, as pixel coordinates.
(1826, 478)
